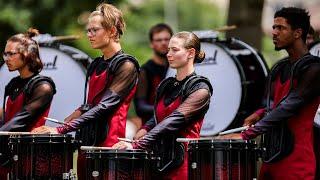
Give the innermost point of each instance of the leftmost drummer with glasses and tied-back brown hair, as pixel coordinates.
(28, 96)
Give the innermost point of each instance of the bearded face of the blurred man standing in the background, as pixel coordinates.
(160, 42)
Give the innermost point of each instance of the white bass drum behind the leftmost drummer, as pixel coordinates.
(66, 66)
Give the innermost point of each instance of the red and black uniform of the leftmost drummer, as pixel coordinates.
(27, 103)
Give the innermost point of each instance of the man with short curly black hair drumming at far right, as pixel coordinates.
(293, 89)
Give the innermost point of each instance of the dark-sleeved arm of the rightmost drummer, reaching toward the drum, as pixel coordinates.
(307, 89)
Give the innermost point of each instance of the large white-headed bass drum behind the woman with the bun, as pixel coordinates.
(238, 75)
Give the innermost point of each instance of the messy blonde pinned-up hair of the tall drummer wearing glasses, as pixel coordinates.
(111, 17)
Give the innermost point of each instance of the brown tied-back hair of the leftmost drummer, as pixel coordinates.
(29, 49)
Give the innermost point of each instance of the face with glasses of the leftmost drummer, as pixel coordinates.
(12, 57)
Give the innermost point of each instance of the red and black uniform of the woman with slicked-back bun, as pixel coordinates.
(179, 111)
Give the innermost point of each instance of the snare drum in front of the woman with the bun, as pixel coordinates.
(105, 163)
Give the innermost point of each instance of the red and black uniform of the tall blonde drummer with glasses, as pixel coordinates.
(112, 84)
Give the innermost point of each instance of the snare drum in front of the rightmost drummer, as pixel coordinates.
(222, 160)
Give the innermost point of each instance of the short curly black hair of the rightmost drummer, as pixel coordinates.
(297, 18)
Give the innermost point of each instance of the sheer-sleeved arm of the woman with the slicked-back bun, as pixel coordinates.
(194, 107)
